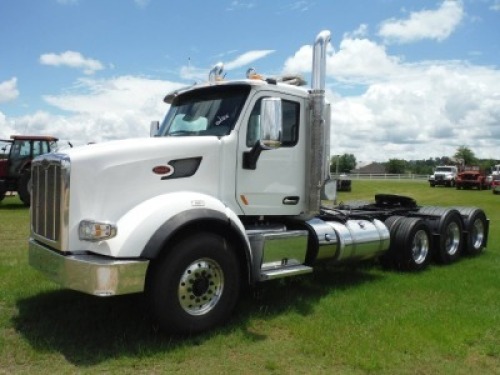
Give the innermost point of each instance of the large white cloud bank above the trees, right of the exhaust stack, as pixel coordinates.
(427, 111)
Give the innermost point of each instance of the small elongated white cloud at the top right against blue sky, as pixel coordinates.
(427, 24)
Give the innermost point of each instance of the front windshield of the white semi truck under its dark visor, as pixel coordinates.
(208, 111)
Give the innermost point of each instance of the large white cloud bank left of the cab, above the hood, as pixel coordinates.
(99, 110)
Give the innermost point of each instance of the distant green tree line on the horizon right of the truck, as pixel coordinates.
(346, 163)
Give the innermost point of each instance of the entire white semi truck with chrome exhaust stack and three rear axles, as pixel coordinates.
(227, 193)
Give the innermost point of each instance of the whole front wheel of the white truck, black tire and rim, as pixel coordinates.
(196, 286)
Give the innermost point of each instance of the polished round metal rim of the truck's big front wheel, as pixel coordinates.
(201, 286)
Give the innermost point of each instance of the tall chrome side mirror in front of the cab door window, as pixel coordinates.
(271, 123)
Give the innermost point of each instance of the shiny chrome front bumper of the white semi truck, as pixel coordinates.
(91, 274)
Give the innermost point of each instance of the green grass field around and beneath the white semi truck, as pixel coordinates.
(351, 320)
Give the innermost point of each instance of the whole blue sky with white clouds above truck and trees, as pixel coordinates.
(407, 79)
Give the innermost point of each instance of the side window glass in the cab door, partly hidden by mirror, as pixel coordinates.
(291, 119)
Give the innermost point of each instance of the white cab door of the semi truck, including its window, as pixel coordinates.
(277, 184)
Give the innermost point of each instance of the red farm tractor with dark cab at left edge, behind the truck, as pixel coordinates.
(15, 166)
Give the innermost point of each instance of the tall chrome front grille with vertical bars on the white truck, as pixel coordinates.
(49, 199)
